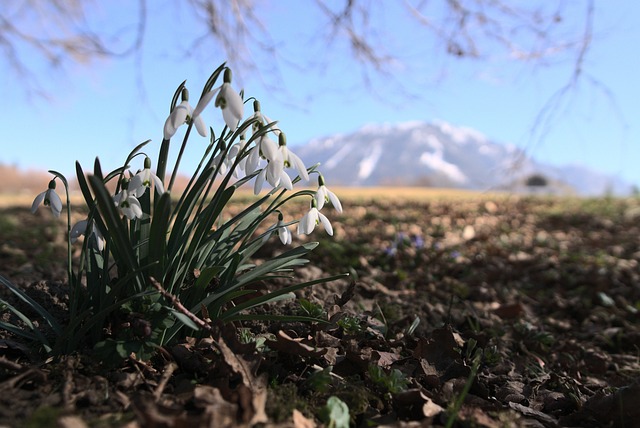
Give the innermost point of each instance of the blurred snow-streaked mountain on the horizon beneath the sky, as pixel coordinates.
(439, 154)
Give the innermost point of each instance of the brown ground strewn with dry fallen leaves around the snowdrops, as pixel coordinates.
(489, 311)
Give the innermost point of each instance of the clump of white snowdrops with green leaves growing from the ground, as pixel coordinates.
(155, 266)
